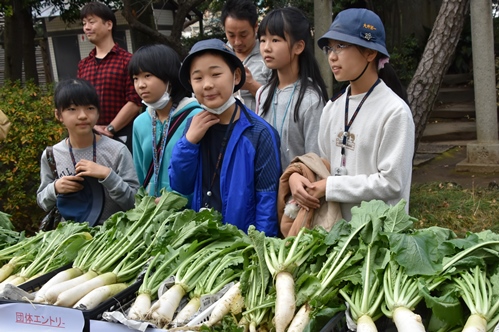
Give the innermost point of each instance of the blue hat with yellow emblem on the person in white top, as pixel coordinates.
(357, 26)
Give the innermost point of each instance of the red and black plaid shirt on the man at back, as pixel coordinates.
(110, 79)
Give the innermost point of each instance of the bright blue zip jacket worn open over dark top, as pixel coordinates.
(249, 176)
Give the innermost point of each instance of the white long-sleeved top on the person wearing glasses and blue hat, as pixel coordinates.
(379, 151)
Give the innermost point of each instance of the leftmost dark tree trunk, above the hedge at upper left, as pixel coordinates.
(13, 46)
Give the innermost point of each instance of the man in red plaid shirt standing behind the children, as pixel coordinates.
(106, 68)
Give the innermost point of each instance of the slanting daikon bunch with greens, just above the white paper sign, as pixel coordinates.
(115, 257)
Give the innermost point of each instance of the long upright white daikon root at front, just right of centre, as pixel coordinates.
(285, 305)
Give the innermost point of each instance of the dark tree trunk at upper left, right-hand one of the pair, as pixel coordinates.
(28, 45)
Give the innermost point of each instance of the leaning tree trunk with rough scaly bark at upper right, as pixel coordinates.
(437, 57)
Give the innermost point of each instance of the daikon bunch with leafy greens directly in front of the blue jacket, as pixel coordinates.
(202, 256)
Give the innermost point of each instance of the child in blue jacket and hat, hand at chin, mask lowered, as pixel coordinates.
(229, 157)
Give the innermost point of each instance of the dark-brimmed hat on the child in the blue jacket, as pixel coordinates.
(212, 45)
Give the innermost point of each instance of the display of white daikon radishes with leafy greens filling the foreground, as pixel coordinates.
(163, 267)
